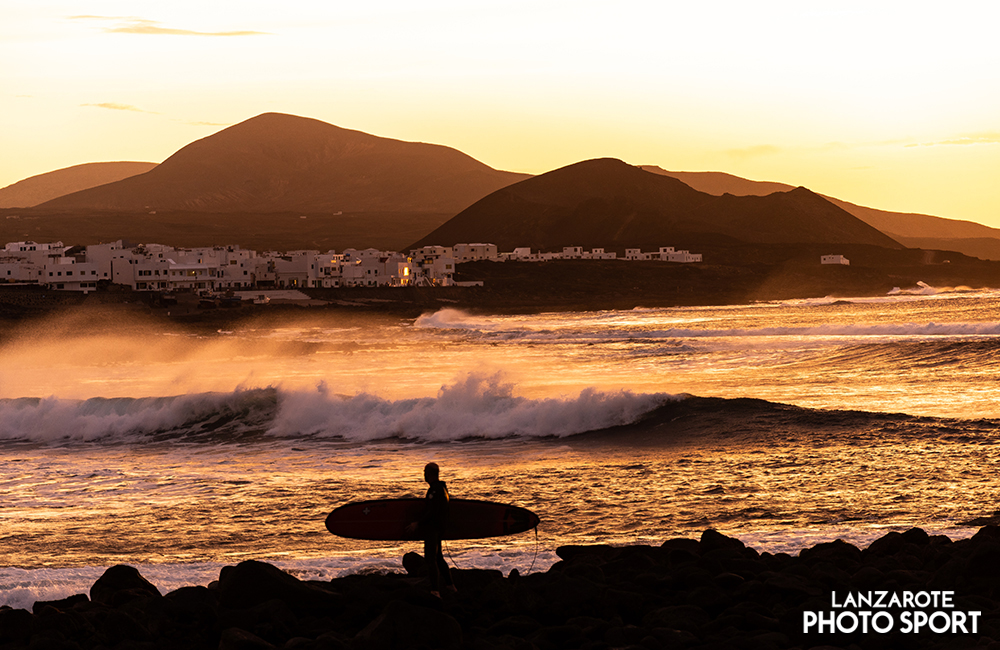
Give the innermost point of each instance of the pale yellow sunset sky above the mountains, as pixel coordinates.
(892, 105)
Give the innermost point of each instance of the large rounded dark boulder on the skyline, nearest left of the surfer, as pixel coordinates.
(252, 583)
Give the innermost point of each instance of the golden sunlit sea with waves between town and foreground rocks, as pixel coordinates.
(784, 424)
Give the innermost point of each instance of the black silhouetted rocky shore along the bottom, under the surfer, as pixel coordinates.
(712, 593)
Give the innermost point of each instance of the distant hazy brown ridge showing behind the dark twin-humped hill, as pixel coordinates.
(913, 230)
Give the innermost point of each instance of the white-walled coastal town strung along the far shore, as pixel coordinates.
(162, 268)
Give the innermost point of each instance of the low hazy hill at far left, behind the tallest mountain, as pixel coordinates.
(44, 187)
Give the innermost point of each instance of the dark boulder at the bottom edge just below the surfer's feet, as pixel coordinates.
(403, 625)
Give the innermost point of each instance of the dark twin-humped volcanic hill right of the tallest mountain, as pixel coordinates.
(611, 204)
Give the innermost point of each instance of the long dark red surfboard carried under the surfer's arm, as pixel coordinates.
(387, 519)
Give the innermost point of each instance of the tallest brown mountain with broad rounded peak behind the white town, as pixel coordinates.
(284, 163)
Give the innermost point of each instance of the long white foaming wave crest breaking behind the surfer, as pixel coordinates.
(476, 406)
